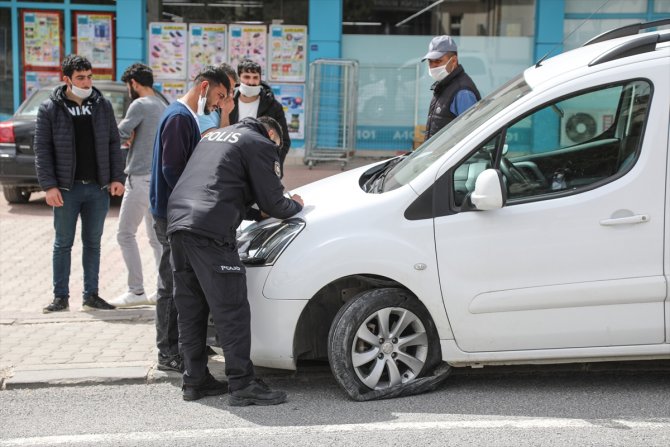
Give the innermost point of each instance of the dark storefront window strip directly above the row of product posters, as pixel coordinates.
(291, 12)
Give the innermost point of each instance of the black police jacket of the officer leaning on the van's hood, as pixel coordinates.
(230, 170)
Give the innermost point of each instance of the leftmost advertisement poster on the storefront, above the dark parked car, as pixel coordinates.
(41, 39)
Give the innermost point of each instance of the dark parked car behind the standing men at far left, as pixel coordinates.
(17, 158)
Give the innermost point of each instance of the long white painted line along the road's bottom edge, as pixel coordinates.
(260, 431)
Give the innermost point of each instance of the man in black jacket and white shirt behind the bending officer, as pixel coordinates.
(254, 98)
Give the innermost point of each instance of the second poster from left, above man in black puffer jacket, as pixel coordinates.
(94, 38)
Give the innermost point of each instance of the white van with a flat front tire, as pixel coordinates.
(518, 234)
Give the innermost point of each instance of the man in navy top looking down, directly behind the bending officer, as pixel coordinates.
(177, 135)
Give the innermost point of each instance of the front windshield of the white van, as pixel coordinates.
(418, 161)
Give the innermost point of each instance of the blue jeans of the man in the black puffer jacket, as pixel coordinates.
(91, 203)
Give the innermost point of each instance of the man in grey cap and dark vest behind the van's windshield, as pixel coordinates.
(453, 90)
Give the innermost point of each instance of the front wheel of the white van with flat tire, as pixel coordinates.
(380, 339)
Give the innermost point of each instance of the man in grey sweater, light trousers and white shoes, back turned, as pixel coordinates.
(139, 128)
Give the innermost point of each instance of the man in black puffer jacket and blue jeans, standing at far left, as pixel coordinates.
(79, 163)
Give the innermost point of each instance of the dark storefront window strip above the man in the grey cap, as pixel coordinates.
(512, 18)
